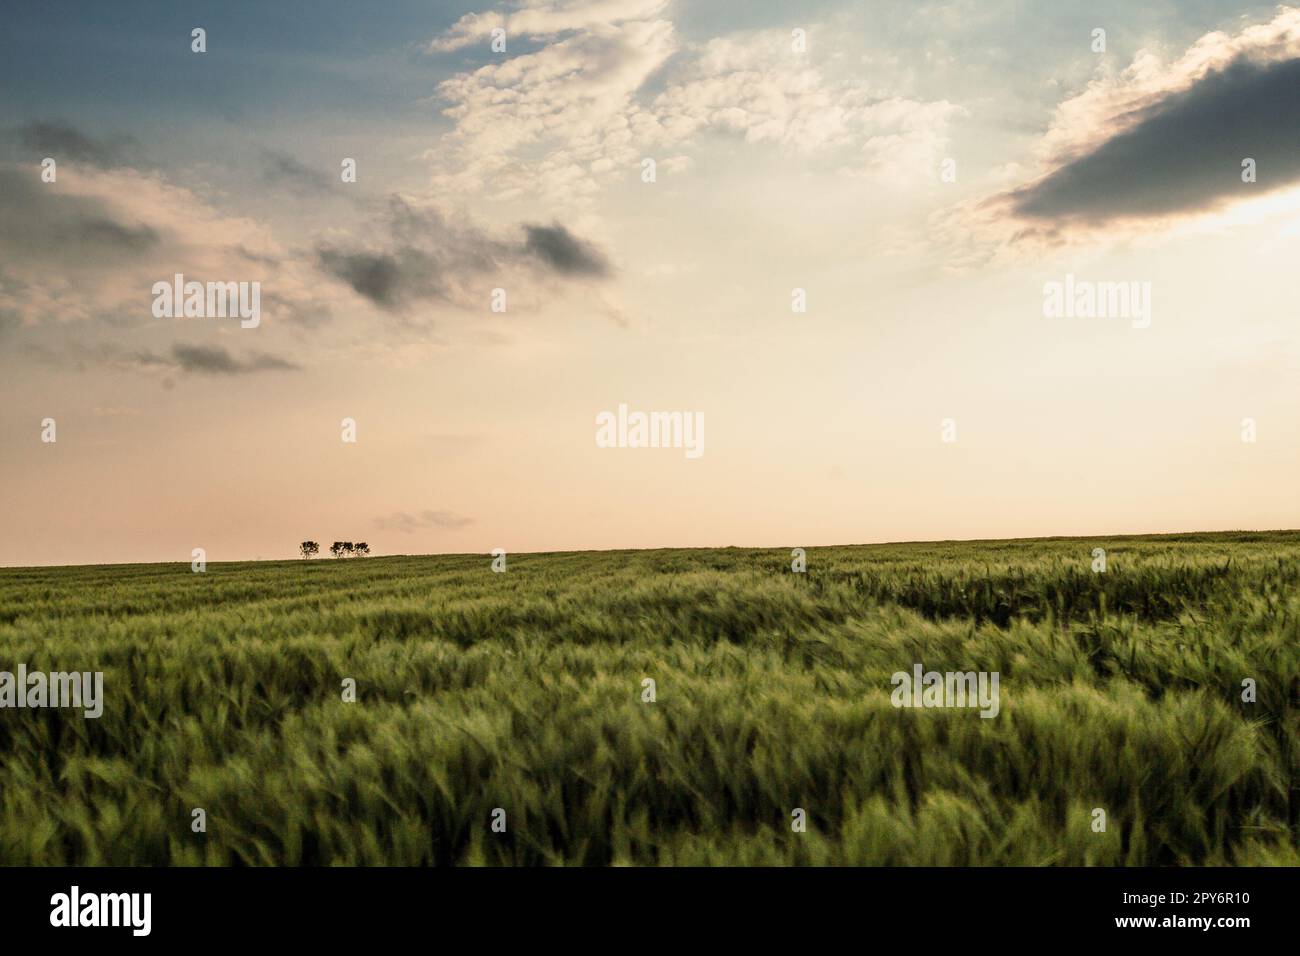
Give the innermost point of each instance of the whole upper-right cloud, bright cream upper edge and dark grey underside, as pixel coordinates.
(1162, 141)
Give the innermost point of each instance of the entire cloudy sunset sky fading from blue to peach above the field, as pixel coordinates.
(921, 271)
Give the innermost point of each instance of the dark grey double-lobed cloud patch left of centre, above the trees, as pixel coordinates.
(427, 256)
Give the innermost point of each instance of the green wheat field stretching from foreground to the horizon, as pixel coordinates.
(523, 691)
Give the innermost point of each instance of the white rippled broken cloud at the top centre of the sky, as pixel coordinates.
(565, 120)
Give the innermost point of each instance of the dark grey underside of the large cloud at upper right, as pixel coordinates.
(1185, 153)
